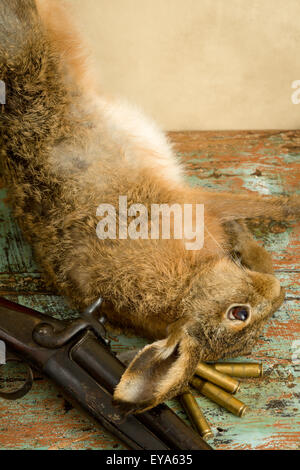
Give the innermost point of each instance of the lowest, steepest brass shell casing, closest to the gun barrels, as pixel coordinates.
(195, 415)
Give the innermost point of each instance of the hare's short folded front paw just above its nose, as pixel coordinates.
(243, 246)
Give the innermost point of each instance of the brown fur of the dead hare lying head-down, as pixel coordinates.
(154, 287)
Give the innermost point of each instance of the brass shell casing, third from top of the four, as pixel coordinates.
(219, 396)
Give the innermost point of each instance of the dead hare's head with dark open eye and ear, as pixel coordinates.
(222, 316)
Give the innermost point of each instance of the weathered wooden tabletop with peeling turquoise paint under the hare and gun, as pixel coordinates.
(268, 162)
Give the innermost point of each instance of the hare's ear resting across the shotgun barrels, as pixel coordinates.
(158, 372)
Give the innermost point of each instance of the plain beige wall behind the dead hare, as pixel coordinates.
(199, 64)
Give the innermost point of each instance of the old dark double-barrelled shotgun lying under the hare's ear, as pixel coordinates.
(76, 356)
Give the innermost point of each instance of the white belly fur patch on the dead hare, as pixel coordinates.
(118, 135)
